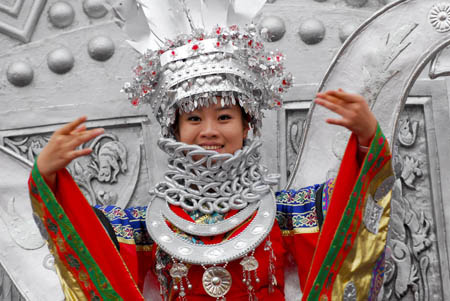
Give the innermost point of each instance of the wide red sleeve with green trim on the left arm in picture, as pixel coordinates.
(87, 261)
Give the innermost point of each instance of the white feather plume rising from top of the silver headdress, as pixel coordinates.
(148, 23)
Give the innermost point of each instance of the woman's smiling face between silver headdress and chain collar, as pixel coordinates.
(217, 128)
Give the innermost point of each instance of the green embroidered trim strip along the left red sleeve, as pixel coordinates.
(75, 242)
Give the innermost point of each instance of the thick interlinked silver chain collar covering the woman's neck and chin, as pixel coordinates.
(199, 179)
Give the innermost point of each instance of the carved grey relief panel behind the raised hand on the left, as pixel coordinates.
(115, 173)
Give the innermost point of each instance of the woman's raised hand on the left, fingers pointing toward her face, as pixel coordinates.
(61, 148)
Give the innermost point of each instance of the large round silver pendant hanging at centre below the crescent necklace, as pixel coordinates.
(216, 281)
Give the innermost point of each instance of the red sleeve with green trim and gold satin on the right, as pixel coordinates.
(326, 257)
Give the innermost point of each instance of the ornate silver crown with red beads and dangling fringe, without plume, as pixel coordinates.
(192, 70)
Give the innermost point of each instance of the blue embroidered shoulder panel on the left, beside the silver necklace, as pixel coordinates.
(128, 224)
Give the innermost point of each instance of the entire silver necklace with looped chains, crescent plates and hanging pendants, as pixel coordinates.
(213, 183)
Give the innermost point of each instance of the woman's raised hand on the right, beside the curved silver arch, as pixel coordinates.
(355, 113)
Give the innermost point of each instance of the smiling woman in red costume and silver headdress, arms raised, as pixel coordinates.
(213, 228)
